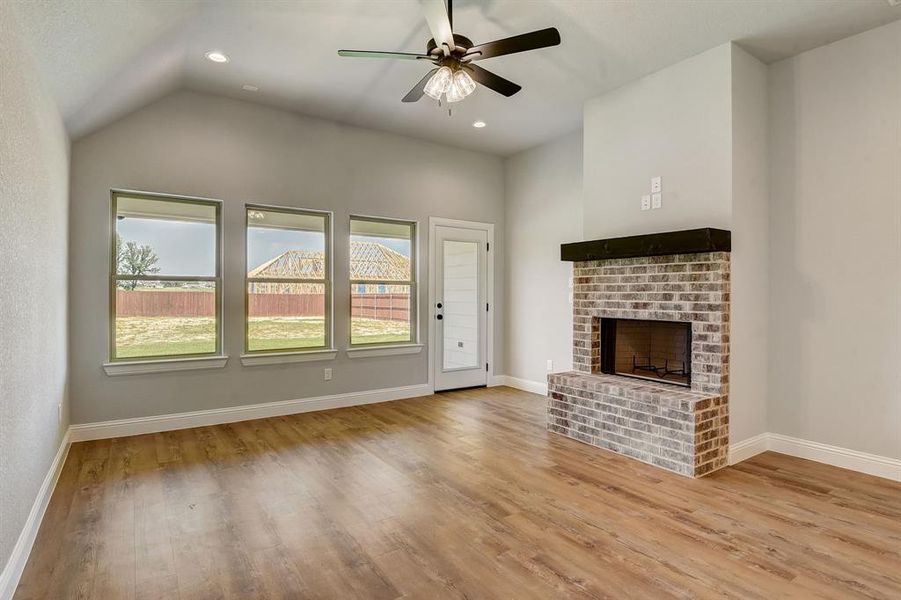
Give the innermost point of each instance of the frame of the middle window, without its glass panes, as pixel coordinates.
(327, 282)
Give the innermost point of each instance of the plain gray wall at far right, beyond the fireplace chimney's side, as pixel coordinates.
(835, 233)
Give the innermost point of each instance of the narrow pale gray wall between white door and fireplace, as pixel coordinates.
(543, 189)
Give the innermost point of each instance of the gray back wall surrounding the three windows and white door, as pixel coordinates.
(202, 145)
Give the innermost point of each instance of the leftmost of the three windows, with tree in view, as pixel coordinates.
(165, 282)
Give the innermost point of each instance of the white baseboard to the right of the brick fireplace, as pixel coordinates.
(862, 462)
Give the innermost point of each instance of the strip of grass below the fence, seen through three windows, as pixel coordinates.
(146, 337)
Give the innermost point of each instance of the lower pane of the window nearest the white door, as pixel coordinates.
(379, 318)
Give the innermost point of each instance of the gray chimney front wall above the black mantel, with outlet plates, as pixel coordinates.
(675, 123)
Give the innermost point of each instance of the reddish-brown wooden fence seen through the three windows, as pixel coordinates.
(165, 303)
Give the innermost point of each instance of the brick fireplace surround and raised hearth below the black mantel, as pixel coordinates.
(681, 430)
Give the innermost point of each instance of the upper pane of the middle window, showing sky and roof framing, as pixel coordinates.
(286, 245)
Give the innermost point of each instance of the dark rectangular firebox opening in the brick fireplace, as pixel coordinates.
(654, 350)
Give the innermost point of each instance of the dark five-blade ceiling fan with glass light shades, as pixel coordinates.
(454, 76)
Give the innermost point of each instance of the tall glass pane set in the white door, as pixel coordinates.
(461, 305)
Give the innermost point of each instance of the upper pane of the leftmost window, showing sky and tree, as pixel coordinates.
(165, 237)
